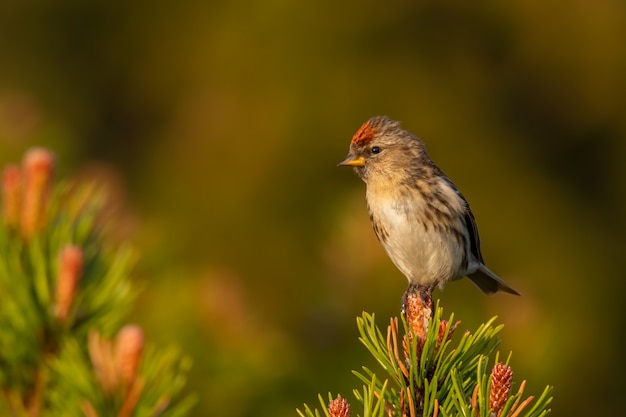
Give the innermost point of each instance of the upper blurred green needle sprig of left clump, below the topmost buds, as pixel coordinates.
(31, 272)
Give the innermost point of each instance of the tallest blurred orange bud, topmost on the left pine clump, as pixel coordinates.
(38, 166)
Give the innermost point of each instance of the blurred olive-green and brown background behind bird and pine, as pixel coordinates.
(218, 126)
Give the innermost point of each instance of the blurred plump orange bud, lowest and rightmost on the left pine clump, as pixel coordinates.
(128, 350)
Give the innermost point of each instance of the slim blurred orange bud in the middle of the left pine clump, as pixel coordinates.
(70, 272)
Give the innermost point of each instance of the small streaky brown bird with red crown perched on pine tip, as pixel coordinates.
(420, 217)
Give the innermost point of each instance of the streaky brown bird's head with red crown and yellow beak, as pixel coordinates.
(382, 149)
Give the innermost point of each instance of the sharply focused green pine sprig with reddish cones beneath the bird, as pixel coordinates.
(431, 377)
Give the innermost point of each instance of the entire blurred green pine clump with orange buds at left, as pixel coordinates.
(64, 296)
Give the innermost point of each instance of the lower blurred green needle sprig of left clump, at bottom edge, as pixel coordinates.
(78, 389)
